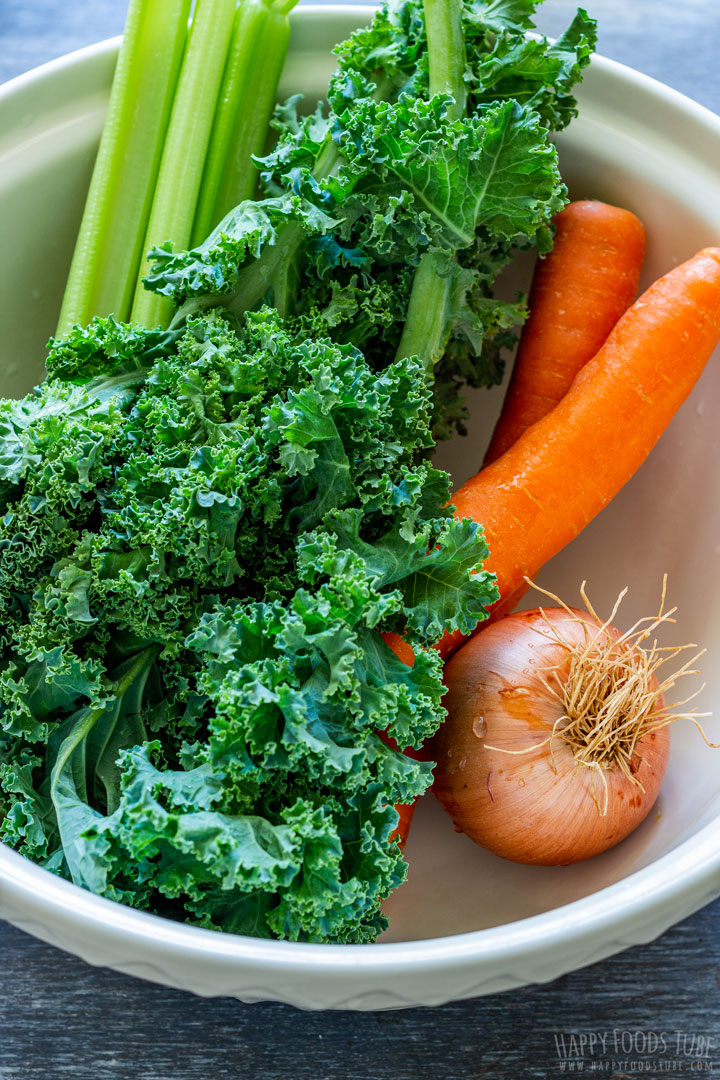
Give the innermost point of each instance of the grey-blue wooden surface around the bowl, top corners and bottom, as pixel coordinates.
(62, 1019)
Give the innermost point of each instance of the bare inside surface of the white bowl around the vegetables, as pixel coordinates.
(634, 145)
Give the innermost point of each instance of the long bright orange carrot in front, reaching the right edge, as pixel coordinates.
(567, 467)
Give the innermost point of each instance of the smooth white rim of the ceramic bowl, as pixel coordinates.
(690, 870)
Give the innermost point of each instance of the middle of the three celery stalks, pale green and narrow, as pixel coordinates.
(178, 190)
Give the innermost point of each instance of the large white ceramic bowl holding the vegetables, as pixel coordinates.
(466, 923)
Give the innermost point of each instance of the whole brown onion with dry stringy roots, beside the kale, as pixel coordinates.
(556, 741)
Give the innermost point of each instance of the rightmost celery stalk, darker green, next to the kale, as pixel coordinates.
(250, 85)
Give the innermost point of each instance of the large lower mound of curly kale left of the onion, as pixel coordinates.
(194, 671)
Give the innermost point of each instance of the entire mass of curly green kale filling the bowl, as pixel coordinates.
(208, 531)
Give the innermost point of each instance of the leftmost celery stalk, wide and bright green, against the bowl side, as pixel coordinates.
(110, 246)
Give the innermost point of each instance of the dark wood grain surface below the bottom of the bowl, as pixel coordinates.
(61, 1019)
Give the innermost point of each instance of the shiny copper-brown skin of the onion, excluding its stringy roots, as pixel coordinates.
(539, 807)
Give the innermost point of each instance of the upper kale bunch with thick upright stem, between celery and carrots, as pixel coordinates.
(357, 196)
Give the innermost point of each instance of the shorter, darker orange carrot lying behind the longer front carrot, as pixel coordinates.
(579, 293)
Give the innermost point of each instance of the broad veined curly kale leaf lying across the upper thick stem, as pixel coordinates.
(497, 172)
